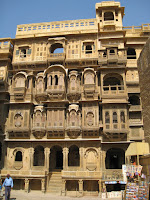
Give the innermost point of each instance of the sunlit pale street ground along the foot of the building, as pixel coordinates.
(37, 195)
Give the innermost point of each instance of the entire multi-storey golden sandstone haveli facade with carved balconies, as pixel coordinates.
(70, 102)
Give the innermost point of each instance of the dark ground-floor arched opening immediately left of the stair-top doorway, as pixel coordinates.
(39, 156)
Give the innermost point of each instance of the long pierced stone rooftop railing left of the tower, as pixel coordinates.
(88, 25)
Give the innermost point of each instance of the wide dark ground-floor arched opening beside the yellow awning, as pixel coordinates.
(115, 158)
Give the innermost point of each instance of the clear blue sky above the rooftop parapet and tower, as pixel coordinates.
(14, 12)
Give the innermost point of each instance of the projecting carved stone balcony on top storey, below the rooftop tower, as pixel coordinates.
(108, 58)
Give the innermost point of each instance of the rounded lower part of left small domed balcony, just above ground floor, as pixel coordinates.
(39, 130)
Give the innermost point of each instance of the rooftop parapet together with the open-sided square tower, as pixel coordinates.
(109, 17)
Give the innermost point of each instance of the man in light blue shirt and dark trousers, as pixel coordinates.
(8, 184)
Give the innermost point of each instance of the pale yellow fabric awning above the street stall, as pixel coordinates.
(137, 148)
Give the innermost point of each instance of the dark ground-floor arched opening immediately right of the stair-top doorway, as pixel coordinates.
(73, 157)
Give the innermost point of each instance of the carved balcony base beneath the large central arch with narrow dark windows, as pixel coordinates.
(56, 91)
